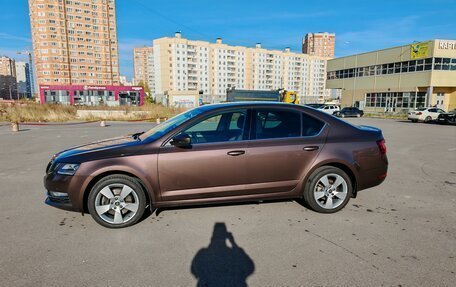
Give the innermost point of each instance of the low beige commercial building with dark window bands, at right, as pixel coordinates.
(399, 78)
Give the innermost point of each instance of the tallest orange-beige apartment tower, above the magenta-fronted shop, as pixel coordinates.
(75, 42)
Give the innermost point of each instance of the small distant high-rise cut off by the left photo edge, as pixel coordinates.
(8, 87)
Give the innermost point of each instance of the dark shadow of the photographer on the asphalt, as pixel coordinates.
(220, 264)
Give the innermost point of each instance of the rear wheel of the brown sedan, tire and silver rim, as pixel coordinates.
(328, 189)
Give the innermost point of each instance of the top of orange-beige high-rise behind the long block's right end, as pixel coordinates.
(319, 44)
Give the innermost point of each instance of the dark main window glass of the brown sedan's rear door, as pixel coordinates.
(276, 123)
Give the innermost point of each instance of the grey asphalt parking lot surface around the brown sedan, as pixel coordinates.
(401, 233)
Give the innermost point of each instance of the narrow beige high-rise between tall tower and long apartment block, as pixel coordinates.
(143, 66)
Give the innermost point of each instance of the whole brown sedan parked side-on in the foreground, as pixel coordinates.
(220, 153)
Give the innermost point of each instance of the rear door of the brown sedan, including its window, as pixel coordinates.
(283, 145)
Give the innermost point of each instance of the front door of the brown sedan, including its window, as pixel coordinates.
(214, 164)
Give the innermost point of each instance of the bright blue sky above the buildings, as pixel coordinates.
(360, 26)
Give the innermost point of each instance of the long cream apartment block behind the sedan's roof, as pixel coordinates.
(212, 68)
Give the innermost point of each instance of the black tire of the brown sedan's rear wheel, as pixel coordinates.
(311, 188)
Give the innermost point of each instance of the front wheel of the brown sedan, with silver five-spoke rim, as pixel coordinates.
(136, 198)
